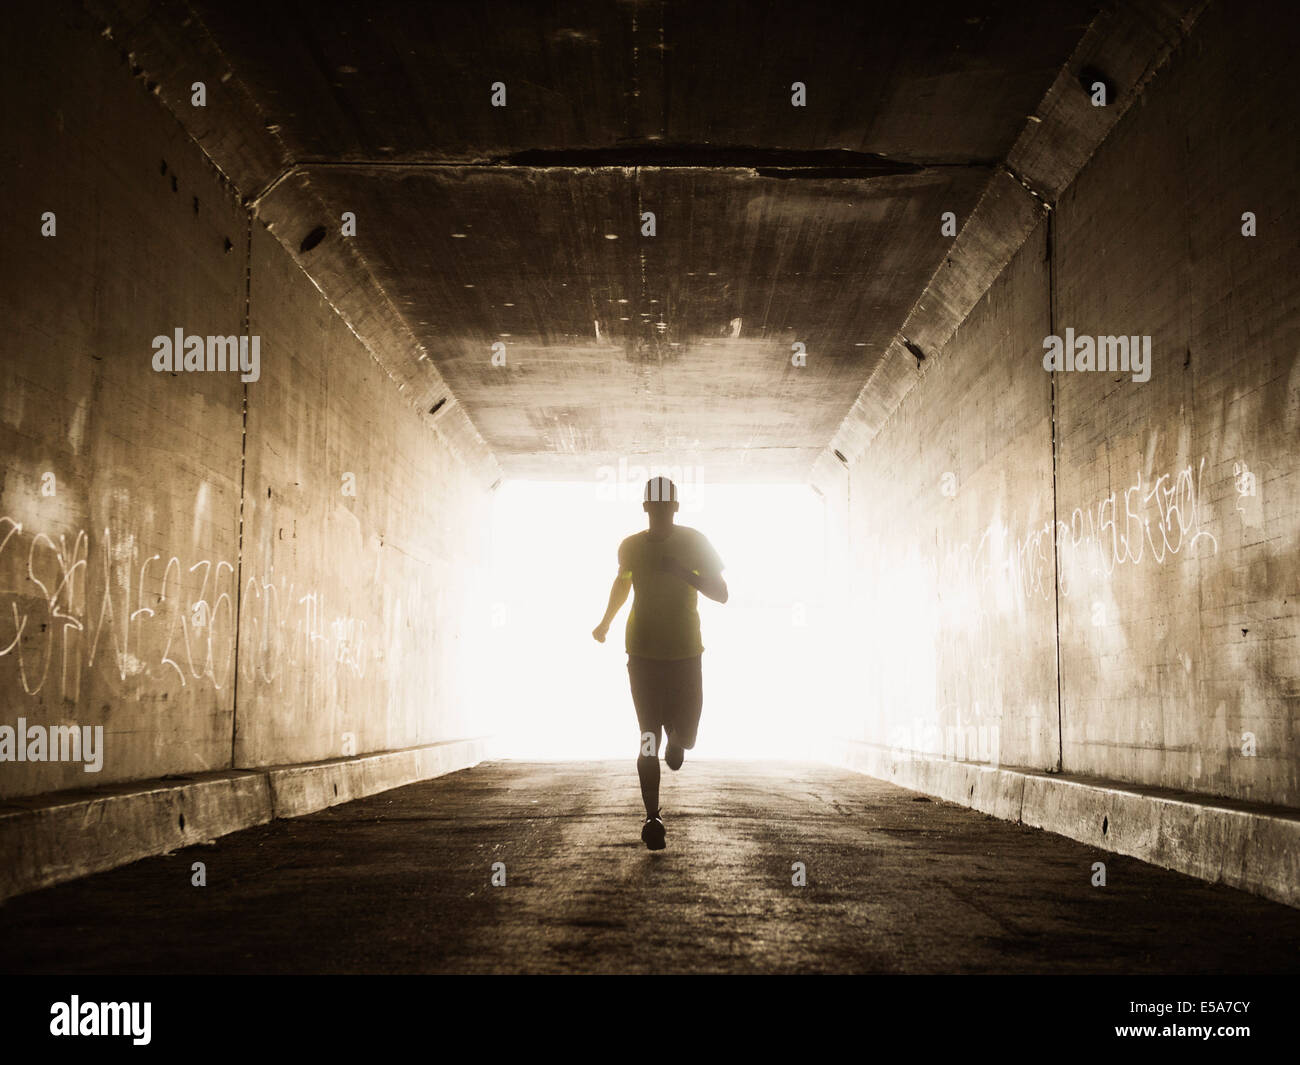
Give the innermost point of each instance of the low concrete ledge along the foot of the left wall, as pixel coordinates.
(59, 837)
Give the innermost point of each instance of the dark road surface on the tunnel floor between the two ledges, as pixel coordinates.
(402, 882)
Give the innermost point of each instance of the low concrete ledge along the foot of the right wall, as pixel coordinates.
(1247, 846)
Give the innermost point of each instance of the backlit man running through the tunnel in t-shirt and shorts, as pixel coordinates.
(665, 566)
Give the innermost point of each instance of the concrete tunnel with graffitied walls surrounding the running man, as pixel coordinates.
(339, 345)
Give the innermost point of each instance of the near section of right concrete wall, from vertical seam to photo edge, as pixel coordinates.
(1181, 573)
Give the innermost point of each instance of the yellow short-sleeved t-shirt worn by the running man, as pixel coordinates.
(664, 622)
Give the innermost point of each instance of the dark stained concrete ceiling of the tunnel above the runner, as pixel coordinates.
(775, 226)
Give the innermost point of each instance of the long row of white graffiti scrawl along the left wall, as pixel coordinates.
(66, 608)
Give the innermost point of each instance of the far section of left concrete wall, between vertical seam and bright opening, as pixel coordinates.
(365, 542)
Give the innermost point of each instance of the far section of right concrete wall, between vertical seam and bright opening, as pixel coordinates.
(951, 555)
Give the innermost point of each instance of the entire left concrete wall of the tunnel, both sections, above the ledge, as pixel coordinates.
(125, 600)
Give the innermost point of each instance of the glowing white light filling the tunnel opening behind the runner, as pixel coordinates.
(553, 692)
